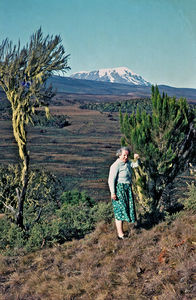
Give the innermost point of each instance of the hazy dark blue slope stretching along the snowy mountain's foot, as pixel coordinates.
(96, 88)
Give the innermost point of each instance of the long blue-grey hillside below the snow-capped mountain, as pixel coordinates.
(100, 91)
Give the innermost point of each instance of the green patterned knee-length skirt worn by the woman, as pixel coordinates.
(124, 208)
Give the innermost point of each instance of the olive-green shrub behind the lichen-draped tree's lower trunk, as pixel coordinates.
(43, 192)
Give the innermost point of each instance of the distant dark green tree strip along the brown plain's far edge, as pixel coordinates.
(129, 106)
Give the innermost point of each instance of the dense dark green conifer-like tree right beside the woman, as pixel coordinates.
(165, 140)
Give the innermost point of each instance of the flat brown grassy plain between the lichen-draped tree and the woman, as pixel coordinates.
(81, 153)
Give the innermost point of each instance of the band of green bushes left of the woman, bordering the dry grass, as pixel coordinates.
(51, 215)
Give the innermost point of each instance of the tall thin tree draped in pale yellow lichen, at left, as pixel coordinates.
(23, 75)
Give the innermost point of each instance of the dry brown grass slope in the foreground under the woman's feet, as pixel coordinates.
(151, 264)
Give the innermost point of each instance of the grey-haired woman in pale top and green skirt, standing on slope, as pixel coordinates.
(120, 187)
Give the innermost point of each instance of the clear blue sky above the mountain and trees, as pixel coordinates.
(154, 38)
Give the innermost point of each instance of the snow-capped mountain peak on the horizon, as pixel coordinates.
(121, 75)
